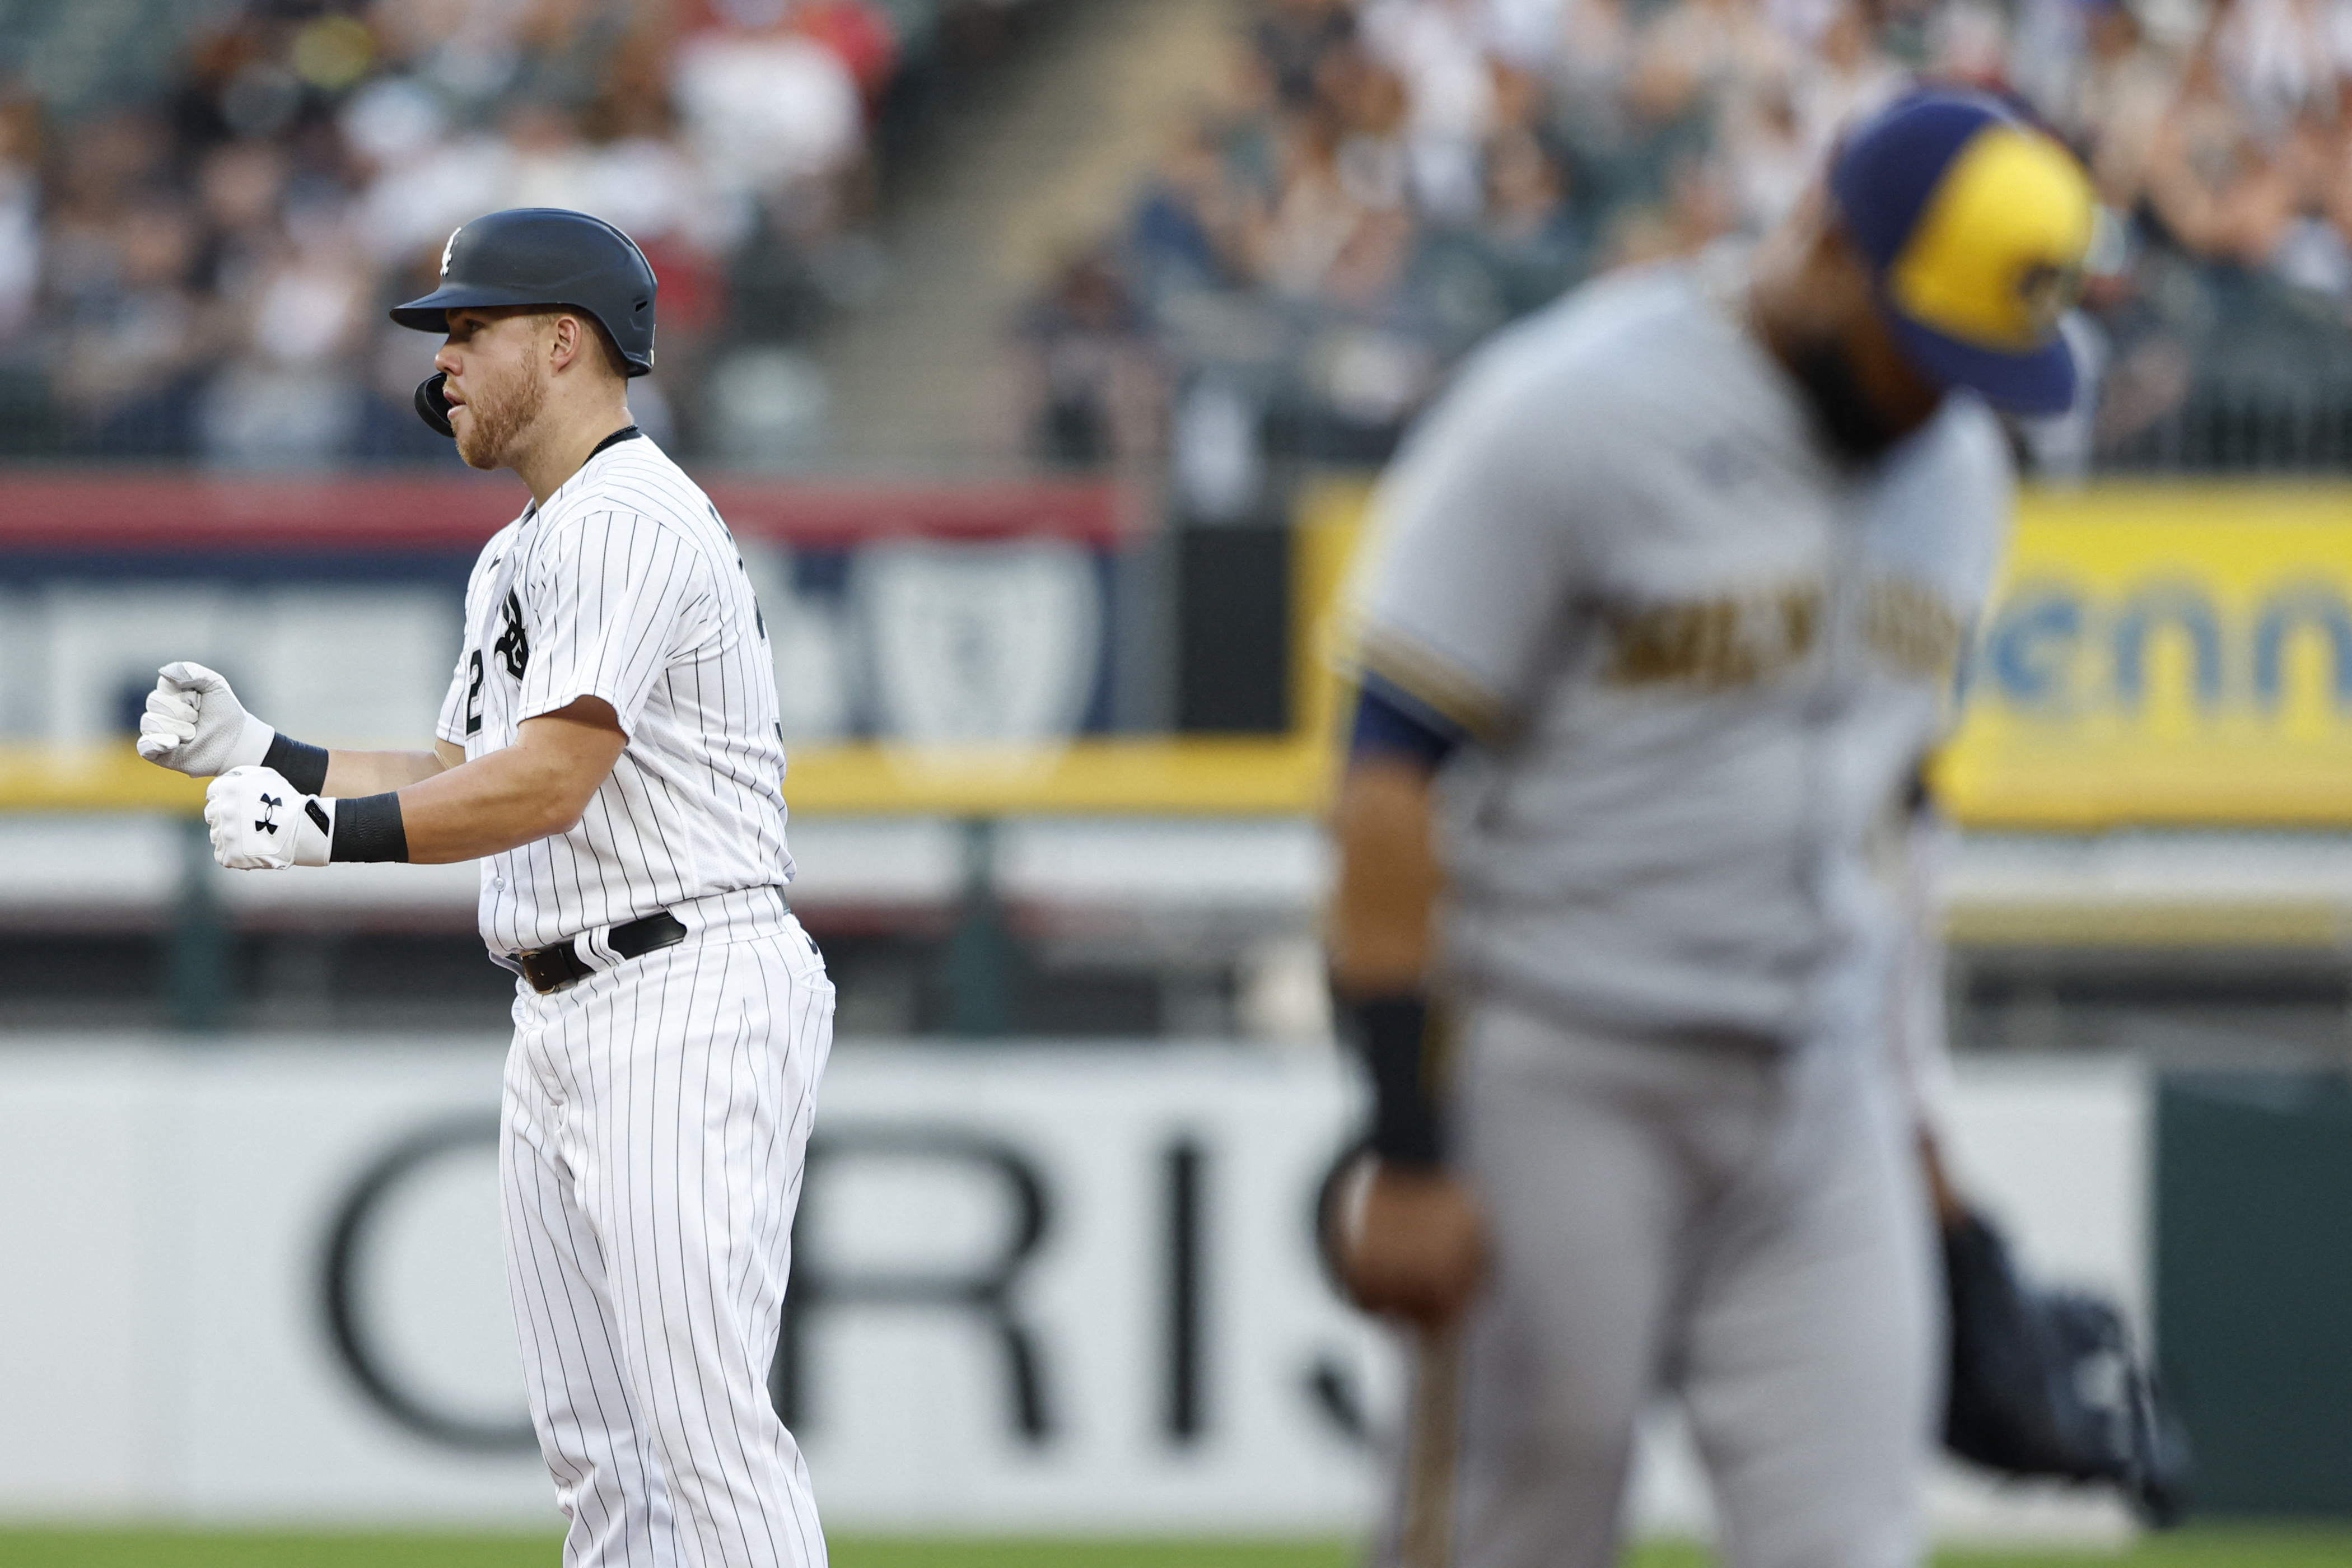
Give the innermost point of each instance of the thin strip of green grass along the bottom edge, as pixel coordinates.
(239, 1550)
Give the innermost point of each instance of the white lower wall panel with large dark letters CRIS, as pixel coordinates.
(260, 1282)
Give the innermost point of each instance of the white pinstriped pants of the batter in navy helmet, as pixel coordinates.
(657, 1115)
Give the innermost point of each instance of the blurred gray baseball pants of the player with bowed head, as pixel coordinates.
(1723, 1221)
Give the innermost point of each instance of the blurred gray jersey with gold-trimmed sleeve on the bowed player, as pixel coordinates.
(1702, 659)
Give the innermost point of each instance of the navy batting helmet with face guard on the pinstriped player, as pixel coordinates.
(540, 257)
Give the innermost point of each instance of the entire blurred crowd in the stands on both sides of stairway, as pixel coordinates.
(199, 239)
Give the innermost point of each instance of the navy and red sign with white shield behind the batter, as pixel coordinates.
(914, 615)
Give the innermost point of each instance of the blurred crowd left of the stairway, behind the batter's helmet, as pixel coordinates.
(201, 269)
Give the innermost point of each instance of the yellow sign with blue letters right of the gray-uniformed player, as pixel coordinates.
(2165, 655)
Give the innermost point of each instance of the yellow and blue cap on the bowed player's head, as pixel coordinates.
(1977, 229)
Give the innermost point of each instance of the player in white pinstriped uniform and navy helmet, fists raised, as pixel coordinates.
(610, 753)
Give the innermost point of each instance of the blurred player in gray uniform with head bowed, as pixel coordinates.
(1662, 608)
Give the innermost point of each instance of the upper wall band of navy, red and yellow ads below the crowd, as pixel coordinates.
(2156, 655)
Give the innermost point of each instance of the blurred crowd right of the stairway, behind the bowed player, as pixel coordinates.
(1401, 177)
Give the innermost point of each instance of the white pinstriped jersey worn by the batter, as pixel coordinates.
(627, 587)
